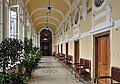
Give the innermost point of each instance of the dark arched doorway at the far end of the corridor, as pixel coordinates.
(46, 42)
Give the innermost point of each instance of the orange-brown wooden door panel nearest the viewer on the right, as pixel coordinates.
(103, 47)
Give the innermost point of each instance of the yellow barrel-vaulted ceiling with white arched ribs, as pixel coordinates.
(37, 10)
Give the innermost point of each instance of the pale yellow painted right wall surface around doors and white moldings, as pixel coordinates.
(86, 43)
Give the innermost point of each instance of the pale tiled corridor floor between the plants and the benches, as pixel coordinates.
(50, 71)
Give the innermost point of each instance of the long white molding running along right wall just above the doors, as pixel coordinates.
(102, 27)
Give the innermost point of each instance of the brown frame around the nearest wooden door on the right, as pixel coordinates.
(95, 57)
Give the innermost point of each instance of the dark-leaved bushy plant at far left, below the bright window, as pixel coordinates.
(10, 51)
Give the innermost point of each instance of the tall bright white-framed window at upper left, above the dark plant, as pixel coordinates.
(14, 21)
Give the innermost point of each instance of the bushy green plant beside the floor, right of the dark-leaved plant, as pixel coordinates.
(30, 61)
